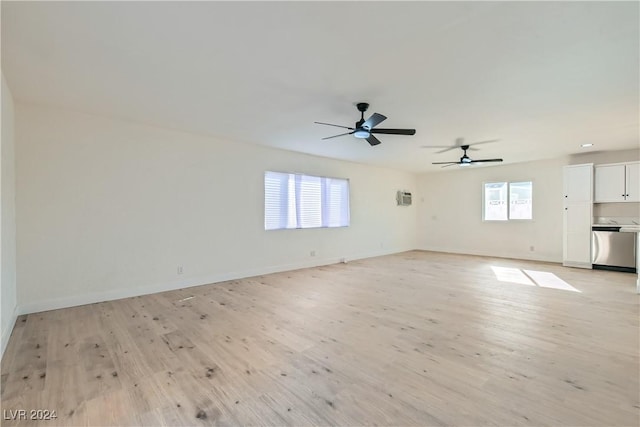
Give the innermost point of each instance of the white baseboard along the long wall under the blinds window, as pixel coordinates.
(94, 297)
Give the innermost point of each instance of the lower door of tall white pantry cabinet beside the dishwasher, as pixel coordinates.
(577, 235)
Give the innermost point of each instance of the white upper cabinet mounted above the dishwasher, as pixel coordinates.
(617, 183)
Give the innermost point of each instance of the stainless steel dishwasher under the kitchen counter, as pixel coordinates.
(613, 250)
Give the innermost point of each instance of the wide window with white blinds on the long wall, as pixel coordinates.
(304, 201)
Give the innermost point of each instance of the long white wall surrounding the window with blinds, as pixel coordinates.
(109, 208)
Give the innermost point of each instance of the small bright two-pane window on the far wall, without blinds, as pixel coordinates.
(508, 200)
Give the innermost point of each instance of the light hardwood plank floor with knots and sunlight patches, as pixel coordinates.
(417, 338)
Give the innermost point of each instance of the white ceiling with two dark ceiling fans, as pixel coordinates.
(543, 77)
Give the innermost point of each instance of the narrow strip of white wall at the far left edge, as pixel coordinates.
(8, 219)
